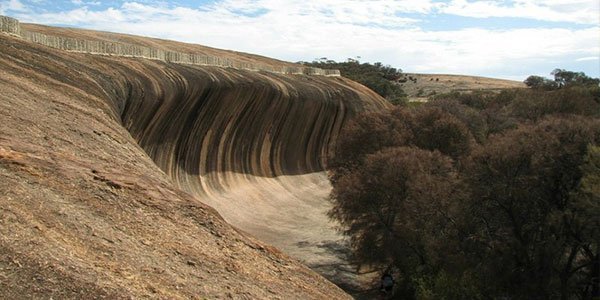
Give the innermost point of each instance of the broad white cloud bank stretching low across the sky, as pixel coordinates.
(304, 30)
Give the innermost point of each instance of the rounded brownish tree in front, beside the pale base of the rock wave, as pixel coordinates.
(394, 205)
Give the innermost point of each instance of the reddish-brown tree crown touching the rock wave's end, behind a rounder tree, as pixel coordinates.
(427, 127)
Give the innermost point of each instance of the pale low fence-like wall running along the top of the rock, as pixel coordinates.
(13, 27)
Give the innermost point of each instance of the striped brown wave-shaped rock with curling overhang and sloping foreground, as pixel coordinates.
(107, 164)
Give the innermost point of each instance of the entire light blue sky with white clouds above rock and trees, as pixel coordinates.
(509, 39)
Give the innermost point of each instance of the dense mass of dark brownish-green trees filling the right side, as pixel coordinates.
(479, 195)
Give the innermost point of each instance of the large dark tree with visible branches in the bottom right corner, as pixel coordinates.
(527, 229)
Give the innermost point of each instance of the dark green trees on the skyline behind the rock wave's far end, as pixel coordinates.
(379, 78)
